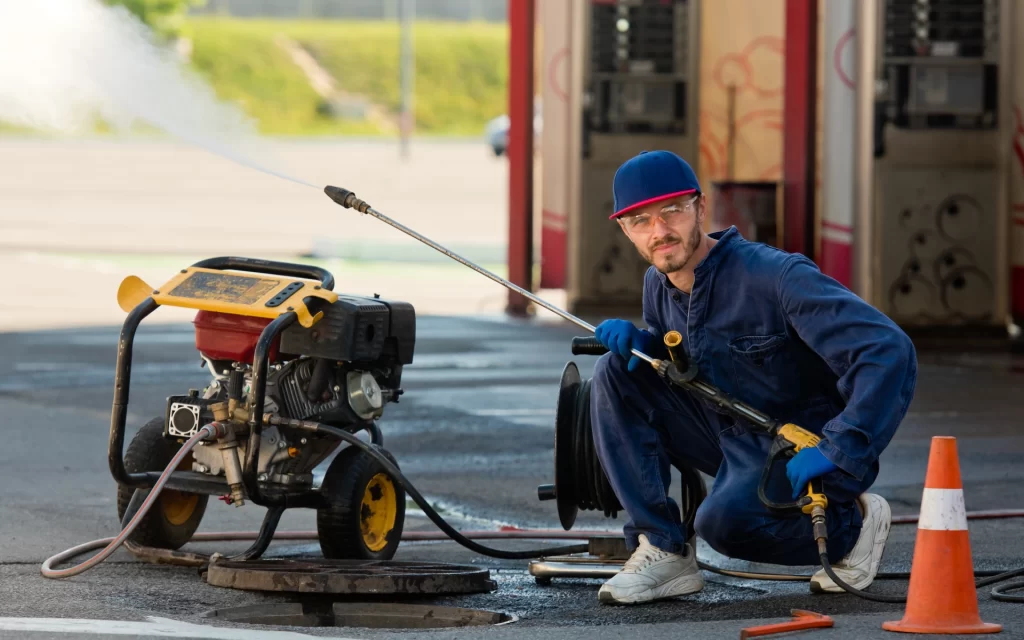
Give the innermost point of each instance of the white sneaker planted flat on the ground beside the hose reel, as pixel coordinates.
(652, 574)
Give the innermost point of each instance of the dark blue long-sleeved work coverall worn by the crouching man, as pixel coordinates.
(770, 329)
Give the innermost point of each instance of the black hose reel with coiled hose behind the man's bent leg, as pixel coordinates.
(580, 480)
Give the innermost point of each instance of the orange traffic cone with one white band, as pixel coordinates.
(943, 598)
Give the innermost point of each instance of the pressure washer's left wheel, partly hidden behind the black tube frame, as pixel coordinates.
(175, 519)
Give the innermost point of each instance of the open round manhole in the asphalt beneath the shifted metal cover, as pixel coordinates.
(363, 615)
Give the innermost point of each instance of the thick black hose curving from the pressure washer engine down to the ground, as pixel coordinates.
(398, 477)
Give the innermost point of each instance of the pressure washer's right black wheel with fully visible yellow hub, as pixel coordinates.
(367, 509)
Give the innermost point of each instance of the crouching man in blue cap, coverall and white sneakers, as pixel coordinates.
(769, 328)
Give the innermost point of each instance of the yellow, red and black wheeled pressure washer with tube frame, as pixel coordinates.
(282, 348)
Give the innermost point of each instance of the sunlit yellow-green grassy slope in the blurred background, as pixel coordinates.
(461, 71)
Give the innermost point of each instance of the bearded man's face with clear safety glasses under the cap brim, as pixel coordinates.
(667, 234)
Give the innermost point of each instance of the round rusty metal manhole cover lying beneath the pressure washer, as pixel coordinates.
(350, 577)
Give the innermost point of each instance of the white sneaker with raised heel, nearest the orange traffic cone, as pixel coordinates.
(862, 565)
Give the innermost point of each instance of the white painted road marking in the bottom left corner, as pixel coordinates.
(161, 627)
